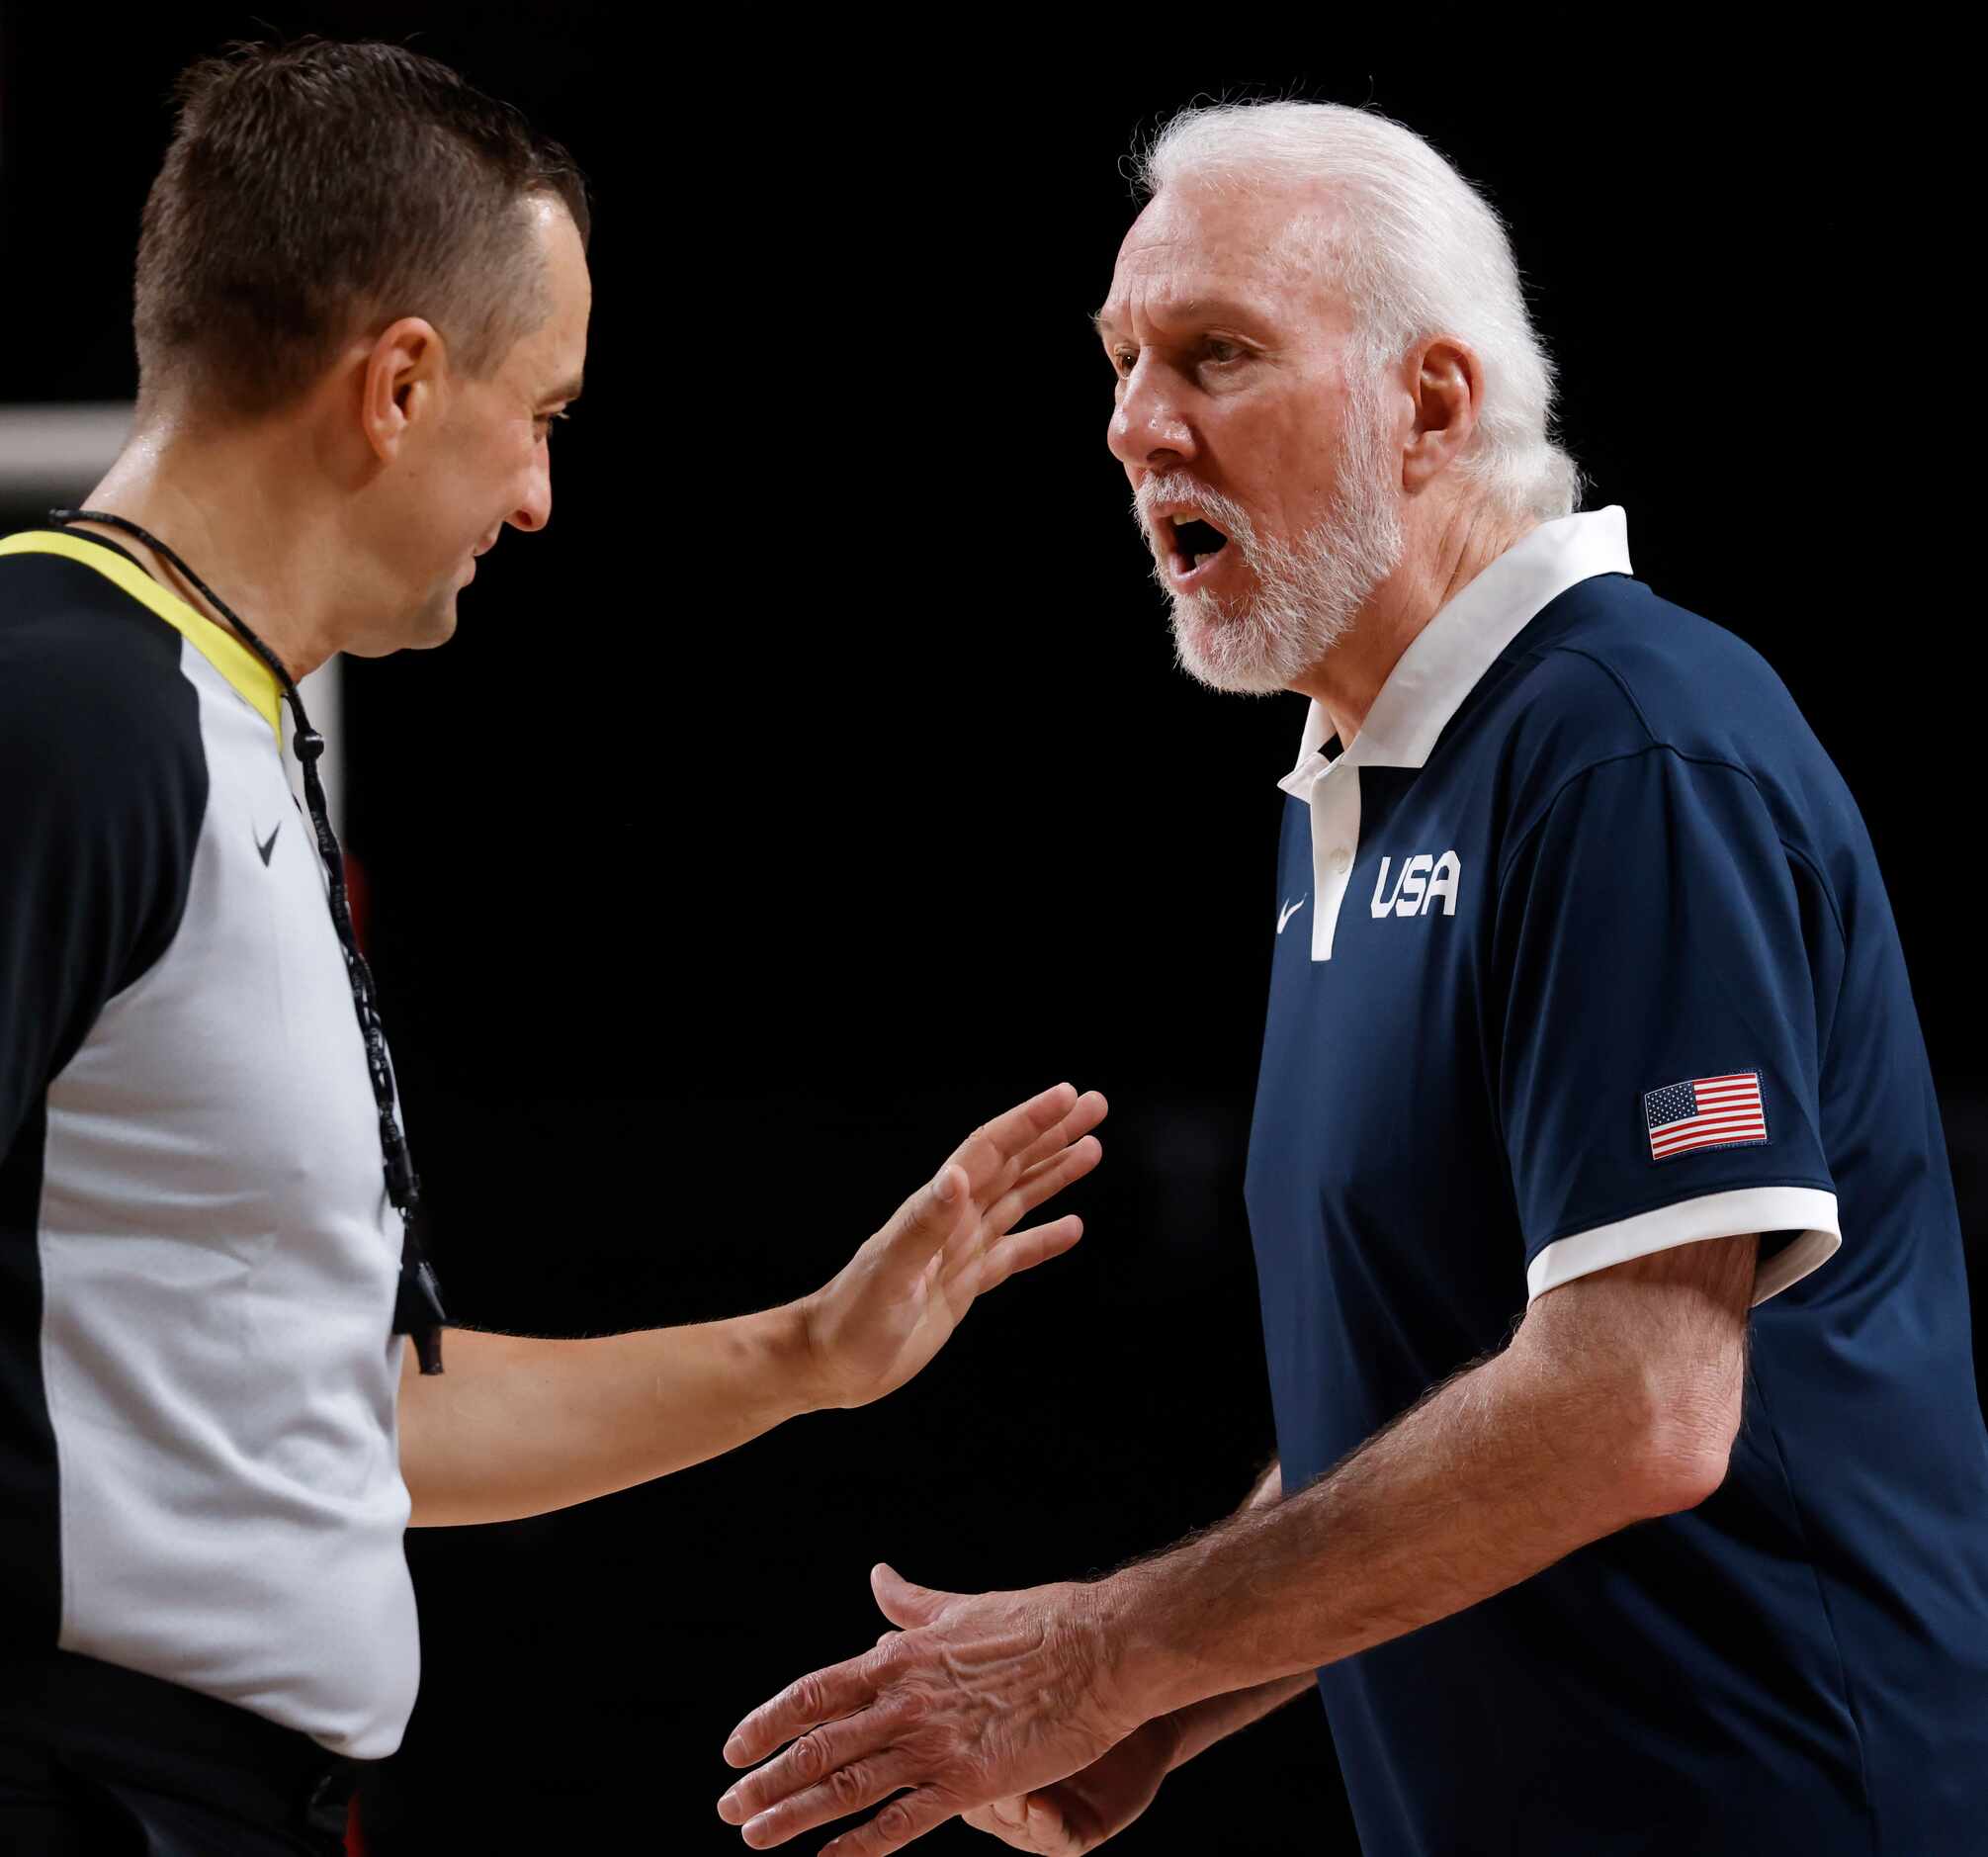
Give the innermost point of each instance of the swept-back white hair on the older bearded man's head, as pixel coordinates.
(1420, 253)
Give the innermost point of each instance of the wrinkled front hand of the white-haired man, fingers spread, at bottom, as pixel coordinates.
(977, 1699)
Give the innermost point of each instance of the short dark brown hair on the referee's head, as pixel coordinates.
(317, 186)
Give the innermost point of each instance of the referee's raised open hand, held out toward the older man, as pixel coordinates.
(898, 1301)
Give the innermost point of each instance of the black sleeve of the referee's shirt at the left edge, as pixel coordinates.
(102, 790)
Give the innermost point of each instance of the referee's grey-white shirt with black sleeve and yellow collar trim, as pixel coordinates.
(200, 1466)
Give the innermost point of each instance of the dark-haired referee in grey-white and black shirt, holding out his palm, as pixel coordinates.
(224, 1381)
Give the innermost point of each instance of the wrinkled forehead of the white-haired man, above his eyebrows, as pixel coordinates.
(1238, 246)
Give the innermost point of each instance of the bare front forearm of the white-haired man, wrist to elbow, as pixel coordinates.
(1496, 1476)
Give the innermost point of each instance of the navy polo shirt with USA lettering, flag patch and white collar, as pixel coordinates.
(1583, 953)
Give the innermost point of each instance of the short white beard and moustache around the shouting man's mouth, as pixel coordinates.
(1307, 597)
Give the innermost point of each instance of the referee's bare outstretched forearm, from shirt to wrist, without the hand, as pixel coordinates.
(518, 1427)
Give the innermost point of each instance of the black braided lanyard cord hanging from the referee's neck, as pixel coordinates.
(418, 1305)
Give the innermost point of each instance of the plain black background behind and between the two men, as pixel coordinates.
(820, 782)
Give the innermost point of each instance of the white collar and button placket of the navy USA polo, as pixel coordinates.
(1442, 665)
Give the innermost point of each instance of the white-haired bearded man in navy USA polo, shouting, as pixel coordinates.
(1617, 1508)
